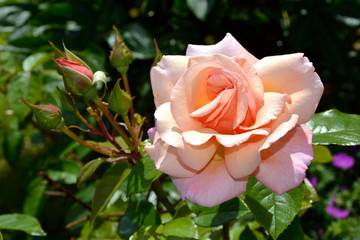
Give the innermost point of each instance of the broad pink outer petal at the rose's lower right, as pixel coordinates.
(284, 164)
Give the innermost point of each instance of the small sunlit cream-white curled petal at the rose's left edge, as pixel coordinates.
(167, 127)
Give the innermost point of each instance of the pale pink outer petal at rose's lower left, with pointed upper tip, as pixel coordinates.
(166, 159)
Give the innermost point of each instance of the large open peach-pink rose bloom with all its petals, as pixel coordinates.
(222, 115)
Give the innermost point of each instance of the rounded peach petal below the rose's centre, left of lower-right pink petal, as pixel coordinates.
(242, 160)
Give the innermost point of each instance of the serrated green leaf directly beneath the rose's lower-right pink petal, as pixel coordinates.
(273, 211)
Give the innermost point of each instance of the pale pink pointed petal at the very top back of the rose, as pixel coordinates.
(229, 46)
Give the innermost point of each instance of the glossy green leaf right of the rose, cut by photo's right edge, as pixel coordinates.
(335, 127)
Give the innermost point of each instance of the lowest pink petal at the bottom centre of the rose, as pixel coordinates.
(212, 186)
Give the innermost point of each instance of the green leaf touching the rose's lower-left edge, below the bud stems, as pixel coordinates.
(142, 175)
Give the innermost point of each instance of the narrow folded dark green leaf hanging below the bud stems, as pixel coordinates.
(109, 184)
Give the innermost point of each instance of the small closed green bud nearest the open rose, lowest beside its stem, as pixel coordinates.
(119, 101)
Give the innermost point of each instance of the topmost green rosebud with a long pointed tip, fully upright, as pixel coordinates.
(120, 56)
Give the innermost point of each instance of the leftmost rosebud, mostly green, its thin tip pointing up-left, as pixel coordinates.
(47, 116)
